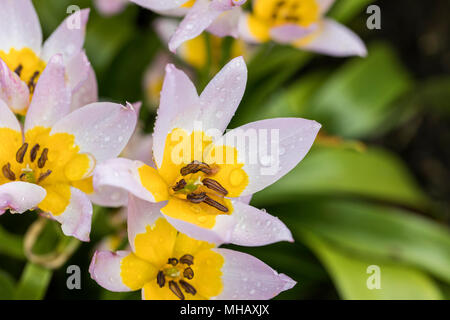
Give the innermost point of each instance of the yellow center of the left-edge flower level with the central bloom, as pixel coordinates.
(51, 161)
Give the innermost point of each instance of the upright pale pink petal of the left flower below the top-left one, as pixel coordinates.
(51, 99)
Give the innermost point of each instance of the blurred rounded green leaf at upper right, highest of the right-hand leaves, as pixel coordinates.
(359, 99)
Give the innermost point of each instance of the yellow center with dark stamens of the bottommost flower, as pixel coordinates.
(171, 265)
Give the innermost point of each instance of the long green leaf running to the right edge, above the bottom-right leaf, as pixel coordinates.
(376, 231)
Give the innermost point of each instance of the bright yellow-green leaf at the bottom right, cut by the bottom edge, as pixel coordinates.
(350, 275)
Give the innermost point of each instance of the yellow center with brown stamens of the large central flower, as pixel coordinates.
(196, 177)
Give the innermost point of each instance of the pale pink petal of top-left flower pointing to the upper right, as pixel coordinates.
(68, 38)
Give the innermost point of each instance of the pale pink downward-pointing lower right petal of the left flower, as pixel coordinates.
(77, 218)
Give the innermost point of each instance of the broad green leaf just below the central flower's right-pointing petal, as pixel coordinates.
(373, 173)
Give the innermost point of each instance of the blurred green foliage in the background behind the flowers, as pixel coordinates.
(350, 203)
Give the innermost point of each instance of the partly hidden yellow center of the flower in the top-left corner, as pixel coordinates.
(26, 64)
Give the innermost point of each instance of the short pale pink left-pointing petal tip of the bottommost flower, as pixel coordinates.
(105, 270)
